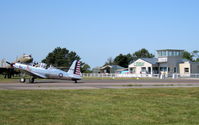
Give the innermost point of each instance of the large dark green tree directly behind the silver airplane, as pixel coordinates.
(61, 57)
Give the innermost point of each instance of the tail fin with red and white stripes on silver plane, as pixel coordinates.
(75, 68)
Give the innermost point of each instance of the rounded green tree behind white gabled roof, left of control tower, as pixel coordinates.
(143, 53)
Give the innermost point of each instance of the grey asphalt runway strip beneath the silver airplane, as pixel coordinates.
(100, 84)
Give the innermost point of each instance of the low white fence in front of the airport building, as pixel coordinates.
(161, 76)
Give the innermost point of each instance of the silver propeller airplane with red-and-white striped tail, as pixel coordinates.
(42, 71)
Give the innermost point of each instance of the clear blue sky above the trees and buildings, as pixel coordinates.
(96, 29)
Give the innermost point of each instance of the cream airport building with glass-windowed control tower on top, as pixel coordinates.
(168, 61)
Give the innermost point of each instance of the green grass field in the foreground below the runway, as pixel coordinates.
(179, 106)
